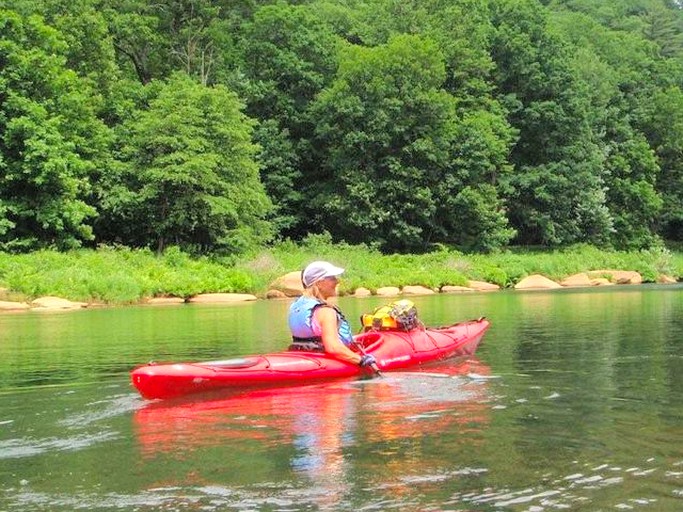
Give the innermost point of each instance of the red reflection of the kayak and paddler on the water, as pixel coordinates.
(321, 428)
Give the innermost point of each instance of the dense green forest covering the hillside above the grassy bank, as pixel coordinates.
(218, 126)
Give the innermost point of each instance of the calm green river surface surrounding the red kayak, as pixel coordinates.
(575, 402)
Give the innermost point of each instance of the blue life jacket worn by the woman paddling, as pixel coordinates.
(300, 323)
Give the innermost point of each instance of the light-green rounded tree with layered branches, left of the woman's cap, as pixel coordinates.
(189, 173)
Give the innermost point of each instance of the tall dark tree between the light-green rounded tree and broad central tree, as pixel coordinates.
(288, 57)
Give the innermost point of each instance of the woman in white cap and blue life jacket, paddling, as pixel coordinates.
(317, 325)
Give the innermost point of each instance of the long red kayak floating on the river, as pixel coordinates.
(392, 349)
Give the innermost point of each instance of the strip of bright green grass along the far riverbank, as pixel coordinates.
(124, 276)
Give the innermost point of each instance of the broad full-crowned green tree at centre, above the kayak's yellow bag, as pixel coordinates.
(393, 143)
